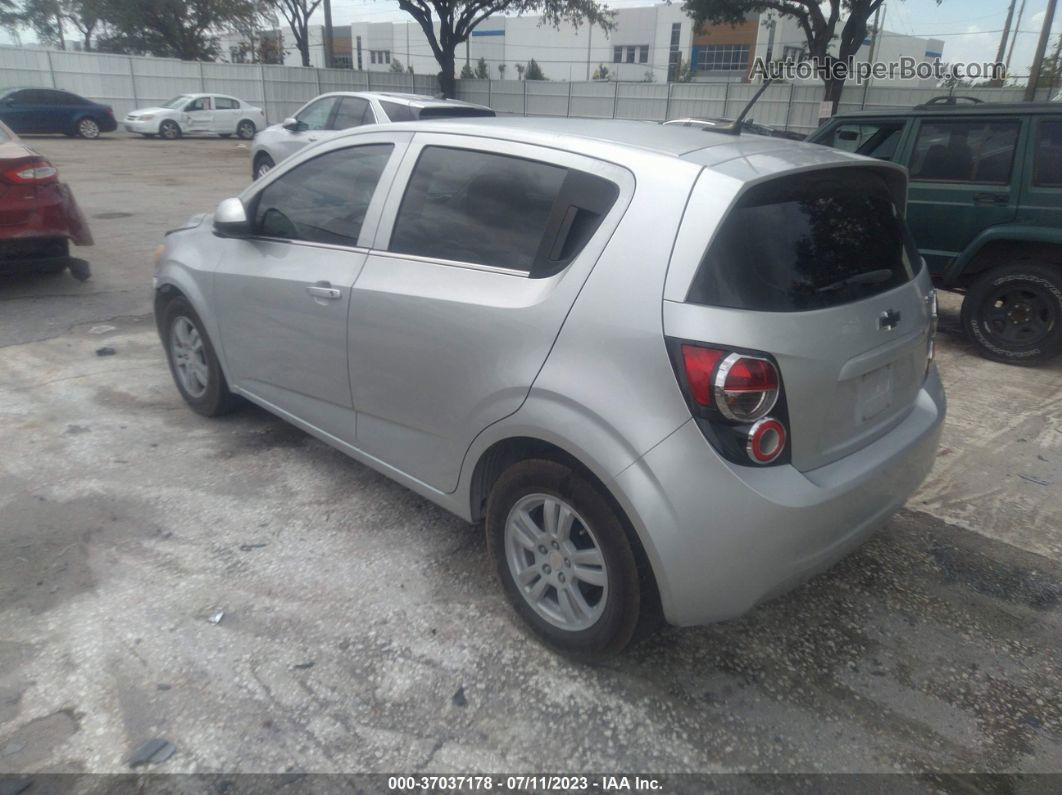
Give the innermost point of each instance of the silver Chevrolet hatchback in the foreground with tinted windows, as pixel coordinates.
(675, 373)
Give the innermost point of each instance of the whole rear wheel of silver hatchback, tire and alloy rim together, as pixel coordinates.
(564, 559)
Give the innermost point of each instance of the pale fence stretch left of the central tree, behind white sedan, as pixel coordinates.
(129, 82)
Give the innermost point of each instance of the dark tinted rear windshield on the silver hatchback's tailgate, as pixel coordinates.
(808, 243)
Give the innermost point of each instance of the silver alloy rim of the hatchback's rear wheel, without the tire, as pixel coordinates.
(557, 563)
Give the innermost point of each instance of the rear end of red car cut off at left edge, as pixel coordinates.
(39, 215)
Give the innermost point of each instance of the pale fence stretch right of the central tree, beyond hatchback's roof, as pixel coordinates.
(789, 107)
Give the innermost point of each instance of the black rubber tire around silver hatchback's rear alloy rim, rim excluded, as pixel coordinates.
(627, 595)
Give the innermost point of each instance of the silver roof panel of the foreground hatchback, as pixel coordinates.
(588, 136)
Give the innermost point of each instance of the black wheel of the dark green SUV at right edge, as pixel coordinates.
(1014, 315)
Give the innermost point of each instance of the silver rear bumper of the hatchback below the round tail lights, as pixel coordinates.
(724, 539)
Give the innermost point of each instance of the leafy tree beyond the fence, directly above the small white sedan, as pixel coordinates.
(179, 29)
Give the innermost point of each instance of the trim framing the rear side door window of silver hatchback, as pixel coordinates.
(555, 224)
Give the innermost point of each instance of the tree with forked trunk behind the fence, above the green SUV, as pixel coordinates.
(818, 20)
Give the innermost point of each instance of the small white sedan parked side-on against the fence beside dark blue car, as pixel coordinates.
(198, 113)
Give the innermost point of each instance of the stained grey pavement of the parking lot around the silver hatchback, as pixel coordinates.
(354, 612)
